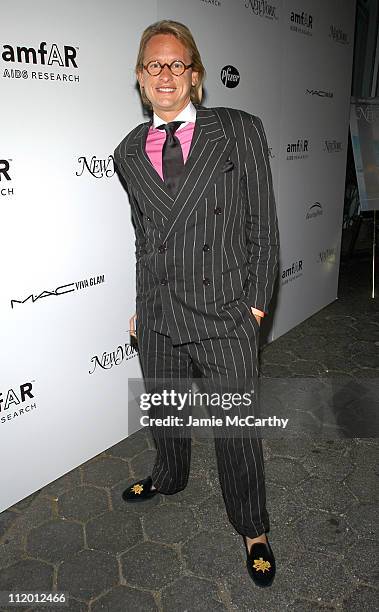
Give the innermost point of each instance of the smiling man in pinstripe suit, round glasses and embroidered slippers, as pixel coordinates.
(200, 189)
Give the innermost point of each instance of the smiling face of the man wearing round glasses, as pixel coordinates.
(168, 93)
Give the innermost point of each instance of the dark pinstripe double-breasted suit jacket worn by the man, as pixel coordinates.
(205, 256)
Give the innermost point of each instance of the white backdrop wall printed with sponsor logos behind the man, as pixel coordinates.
(69, 95)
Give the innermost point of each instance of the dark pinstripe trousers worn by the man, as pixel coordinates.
(223, 363)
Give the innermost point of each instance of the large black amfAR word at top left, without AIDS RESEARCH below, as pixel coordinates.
(66, 56)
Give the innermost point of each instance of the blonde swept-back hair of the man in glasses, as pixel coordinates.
(183, 34)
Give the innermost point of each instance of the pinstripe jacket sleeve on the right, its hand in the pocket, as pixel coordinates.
(262, 236)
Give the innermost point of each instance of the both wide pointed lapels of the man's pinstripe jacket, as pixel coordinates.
(209, 150)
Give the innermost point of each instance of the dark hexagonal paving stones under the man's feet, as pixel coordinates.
(180, 553)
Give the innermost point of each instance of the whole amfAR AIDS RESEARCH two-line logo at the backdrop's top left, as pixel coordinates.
(45, 62)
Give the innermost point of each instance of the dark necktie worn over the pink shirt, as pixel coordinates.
(172, 157)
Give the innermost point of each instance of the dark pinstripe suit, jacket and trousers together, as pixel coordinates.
(203, 258)
